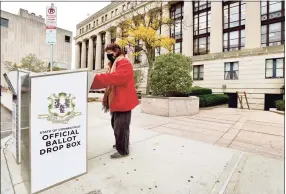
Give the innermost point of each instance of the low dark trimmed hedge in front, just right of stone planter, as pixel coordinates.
(208, 100)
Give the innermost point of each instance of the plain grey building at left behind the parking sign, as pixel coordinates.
(25, 33)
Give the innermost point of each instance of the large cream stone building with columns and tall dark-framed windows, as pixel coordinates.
(235, 46)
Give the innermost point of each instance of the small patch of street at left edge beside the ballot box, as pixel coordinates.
(6, 120)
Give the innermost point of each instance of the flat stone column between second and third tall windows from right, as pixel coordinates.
(216, 37)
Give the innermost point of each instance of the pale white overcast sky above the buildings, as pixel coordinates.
(69, 13)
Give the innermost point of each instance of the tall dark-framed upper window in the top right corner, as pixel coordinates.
(272, 23)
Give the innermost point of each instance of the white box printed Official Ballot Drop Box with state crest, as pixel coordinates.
(54, 148)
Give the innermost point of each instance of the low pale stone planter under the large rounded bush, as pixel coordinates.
(170, 106)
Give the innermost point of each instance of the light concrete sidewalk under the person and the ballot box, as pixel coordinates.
(158, 163)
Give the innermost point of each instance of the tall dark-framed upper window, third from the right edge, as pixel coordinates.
(202, 24)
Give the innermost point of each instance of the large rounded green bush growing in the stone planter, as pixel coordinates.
(170, 75)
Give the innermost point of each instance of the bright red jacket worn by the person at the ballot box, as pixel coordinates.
(124, 94)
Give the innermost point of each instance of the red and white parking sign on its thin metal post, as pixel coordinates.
(51, 29)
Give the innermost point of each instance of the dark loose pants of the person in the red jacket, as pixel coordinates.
(120, 122)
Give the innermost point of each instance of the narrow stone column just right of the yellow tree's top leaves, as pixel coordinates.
(188, 29)
